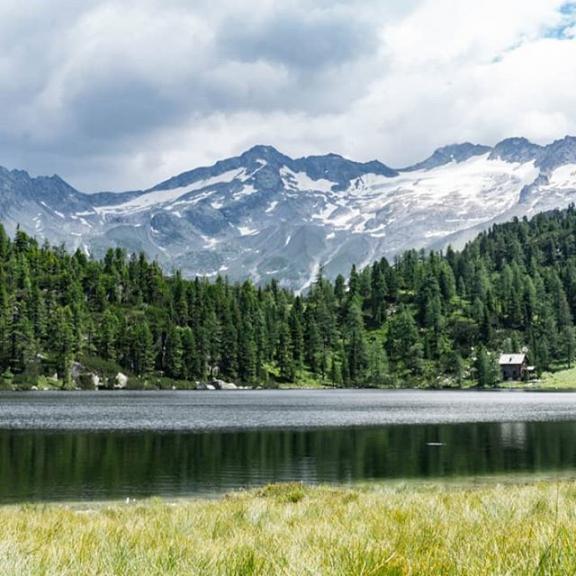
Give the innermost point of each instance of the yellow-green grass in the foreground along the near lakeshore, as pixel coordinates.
(294, 530)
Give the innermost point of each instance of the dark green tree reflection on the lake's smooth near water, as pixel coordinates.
(48, 465)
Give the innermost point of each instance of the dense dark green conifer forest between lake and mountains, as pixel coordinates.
(426, 318)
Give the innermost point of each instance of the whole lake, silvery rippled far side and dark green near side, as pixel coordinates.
(78, 446)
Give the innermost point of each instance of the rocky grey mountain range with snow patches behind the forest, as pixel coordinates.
(265, 215)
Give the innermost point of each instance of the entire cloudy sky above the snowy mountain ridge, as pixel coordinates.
(120, 95)
